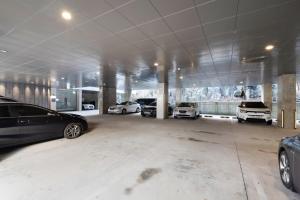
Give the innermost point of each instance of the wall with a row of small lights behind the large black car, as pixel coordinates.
(28, 93)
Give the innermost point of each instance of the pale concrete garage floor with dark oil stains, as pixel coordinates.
(128, 157)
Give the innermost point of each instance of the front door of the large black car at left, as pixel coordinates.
(33, 123)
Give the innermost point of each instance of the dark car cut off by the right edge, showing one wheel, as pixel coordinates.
(289, 162)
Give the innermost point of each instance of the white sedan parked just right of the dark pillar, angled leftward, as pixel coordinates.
(125, 107)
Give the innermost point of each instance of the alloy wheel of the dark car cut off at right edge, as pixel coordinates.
(285, 170)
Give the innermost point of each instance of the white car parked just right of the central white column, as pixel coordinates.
(186, 109)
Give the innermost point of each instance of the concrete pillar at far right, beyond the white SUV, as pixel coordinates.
(286, 102)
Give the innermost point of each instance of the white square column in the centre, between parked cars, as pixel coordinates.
(162, 96)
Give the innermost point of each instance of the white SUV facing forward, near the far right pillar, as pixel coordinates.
(252, 110)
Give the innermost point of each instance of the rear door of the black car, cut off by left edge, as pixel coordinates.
(9, 130)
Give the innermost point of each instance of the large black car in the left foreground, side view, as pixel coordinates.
(22, 123)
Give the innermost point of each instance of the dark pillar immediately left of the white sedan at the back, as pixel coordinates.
(107, 97)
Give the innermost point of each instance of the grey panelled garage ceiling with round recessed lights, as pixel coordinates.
(213, 42)
